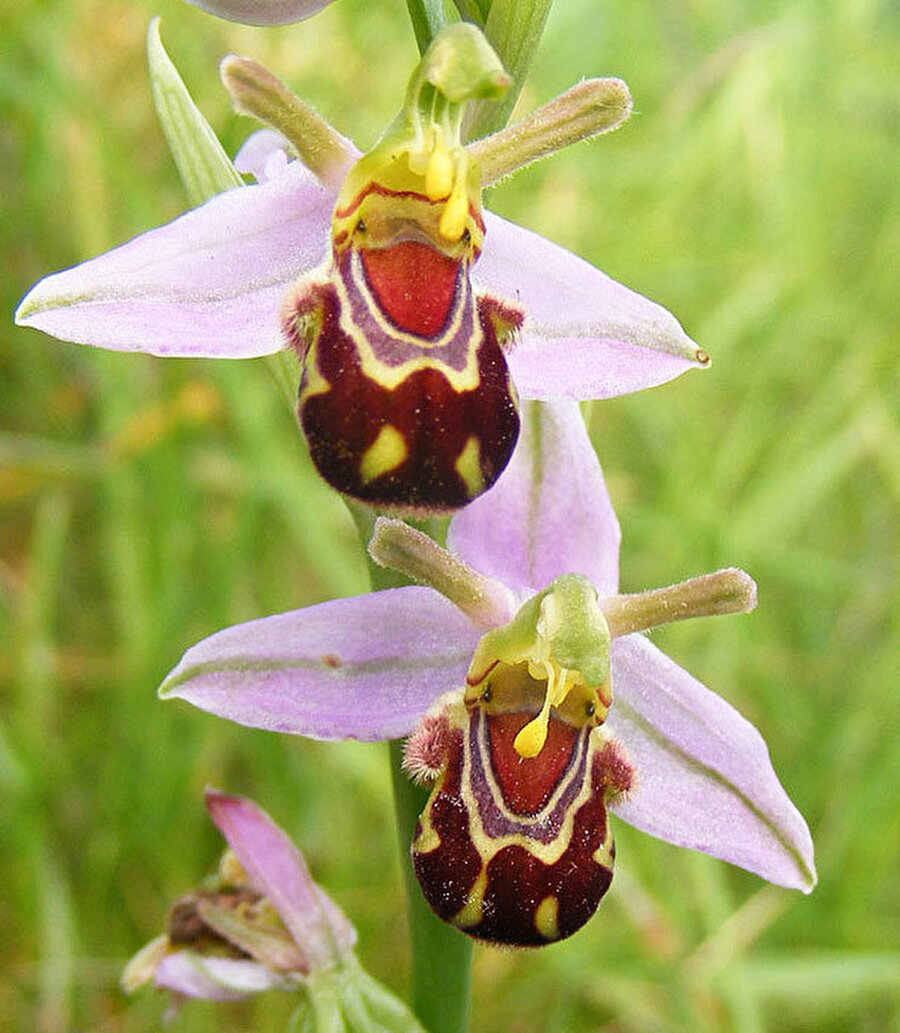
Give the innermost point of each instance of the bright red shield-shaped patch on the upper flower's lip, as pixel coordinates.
(414, 284)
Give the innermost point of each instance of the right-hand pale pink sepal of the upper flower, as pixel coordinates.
(585, 336)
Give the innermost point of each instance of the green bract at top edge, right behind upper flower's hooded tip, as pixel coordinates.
(514, 29)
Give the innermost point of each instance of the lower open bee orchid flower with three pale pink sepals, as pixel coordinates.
(558, 708)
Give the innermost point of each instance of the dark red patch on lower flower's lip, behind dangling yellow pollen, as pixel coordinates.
(527, 784)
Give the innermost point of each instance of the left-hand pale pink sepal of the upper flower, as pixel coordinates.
(208, 285)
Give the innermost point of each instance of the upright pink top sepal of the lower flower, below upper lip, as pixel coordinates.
(549, 514)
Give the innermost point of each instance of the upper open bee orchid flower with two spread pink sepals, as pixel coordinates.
(414, 314)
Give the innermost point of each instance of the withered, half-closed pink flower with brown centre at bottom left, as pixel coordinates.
(260, 924)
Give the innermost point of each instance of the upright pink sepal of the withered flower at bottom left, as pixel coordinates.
(277, 870)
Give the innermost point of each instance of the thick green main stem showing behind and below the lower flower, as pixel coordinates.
(442, 957)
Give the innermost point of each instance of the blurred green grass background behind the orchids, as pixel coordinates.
(146, 504)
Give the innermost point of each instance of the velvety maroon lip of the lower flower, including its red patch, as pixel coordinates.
(519, 852)
